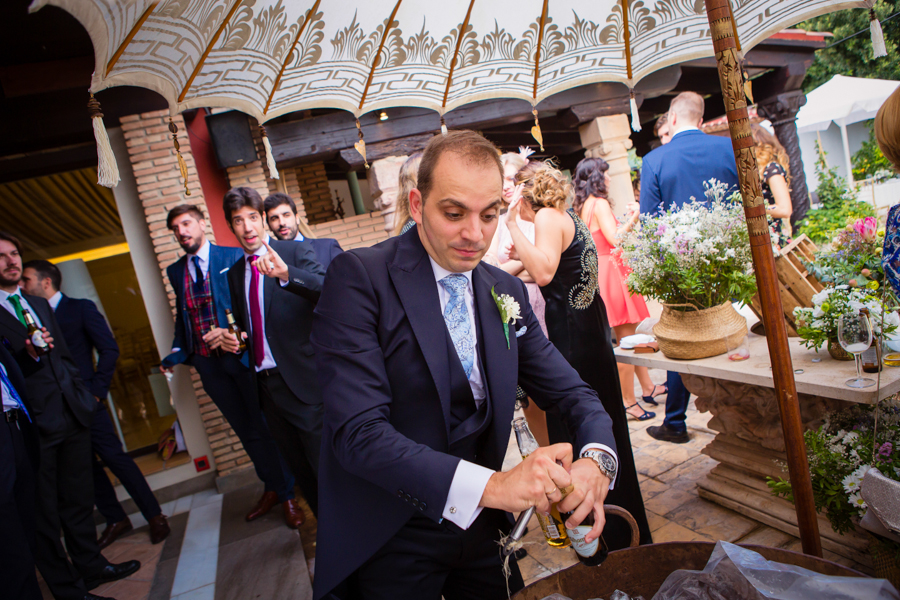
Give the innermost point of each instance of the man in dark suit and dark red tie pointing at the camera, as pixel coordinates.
(274, 289)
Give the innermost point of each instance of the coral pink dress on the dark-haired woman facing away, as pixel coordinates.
(621, 305)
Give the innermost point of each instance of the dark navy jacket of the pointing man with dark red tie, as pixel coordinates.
(288, 312)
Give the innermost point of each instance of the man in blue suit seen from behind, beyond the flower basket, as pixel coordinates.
(672, 175)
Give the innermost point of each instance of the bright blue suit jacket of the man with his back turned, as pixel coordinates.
(673, 173)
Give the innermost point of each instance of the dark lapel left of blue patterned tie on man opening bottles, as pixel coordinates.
(413, 279)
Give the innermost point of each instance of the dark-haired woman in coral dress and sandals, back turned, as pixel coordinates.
(624, 309)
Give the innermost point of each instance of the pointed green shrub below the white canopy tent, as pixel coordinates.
(839, 206)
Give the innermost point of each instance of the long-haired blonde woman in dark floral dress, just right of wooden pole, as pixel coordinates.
(775, 175)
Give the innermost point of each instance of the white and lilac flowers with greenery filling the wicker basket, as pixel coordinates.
(698, 254)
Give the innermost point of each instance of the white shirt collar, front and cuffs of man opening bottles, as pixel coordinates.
(471, 479)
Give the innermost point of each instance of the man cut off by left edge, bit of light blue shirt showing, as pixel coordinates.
(18, 462)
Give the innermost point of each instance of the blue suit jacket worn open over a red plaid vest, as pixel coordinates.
(220, 260)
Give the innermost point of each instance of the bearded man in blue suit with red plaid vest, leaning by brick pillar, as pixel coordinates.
(202, 297)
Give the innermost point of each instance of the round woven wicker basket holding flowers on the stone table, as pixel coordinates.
(698, 333)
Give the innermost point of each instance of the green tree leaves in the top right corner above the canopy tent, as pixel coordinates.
(853, 57)
